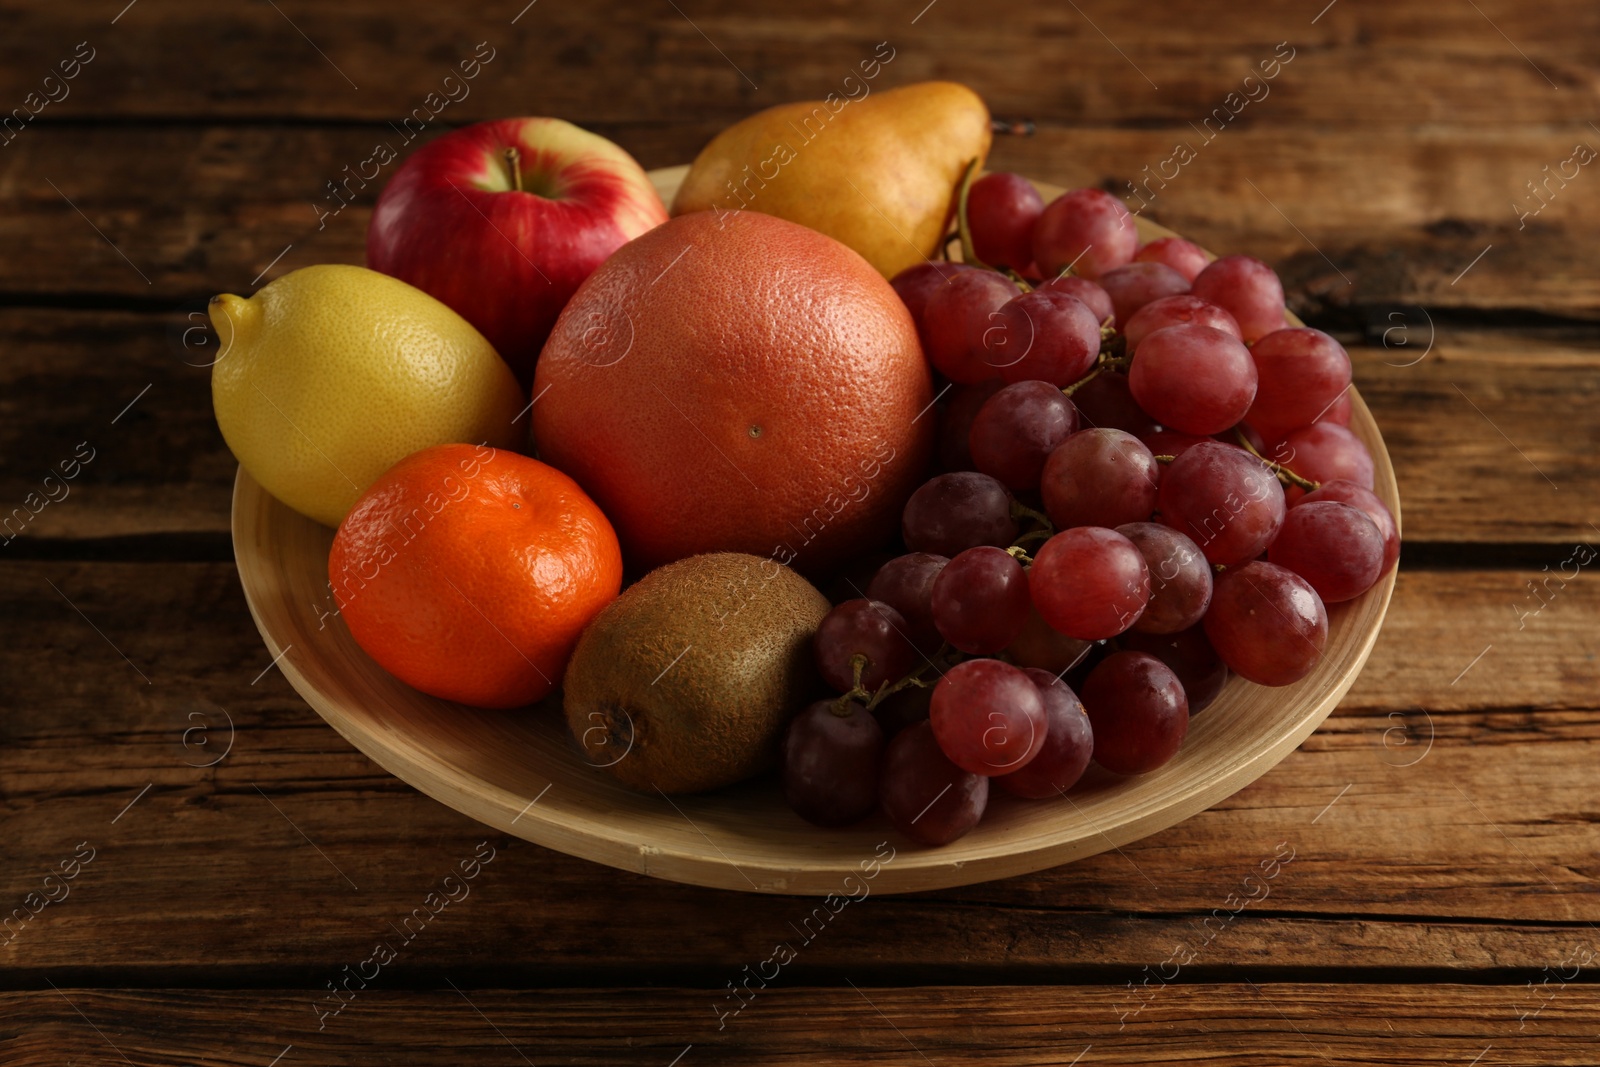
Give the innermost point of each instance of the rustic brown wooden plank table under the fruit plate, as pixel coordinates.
(233, 858)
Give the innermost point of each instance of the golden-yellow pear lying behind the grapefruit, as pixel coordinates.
(876, 174)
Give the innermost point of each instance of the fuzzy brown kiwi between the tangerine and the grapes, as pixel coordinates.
(687, 681)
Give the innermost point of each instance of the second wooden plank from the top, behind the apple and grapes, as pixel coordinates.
(1354, 218)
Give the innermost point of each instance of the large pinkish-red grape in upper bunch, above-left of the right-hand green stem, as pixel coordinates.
(1193, 378)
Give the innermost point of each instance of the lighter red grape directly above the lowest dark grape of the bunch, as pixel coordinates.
(988, 717)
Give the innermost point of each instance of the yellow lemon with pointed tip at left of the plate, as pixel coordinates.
(332, 375)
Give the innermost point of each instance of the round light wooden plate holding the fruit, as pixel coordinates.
(521, 773)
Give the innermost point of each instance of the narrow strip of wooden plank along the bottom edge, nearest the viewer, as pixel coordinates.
(1225, 1026)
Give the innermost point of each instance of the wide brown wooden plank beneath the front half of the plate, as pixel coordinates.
(1460, 791)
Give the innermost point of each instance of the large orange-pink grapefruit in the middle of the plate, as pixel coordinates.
(738, 383)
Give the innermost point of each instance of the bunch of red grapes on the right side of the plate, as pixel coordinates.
(1148, 486)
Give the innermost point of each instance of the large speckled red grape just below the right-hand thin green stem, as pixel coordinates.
(1225, 500)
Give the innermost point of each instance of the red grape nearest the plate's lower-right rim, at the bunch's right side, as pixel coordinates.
(1266, 623)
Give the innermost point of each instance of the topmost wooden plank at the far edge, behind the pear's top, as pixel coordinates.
(196, 60)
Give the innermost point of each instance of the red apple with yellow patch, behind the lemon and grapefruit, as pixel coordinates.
(505, 220)
